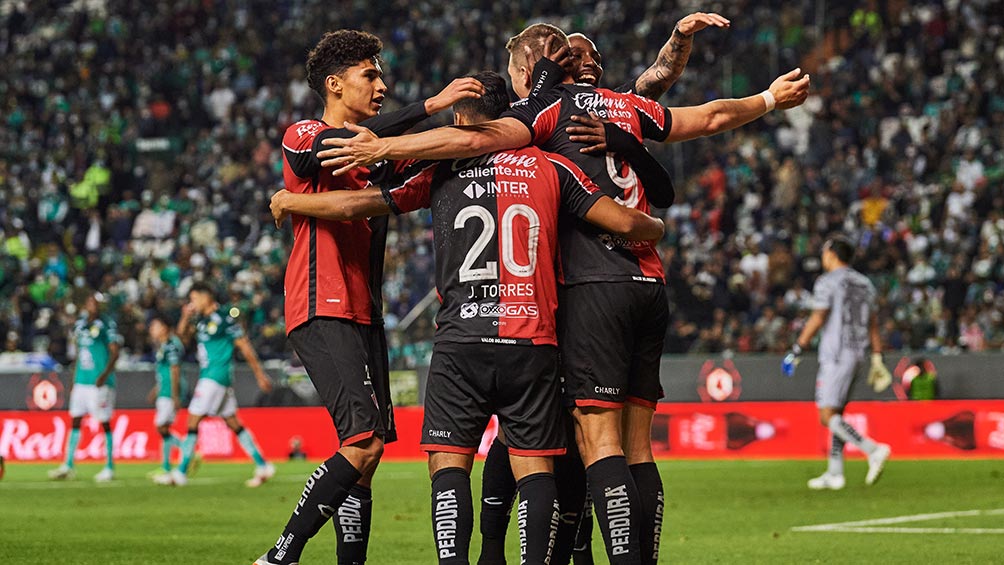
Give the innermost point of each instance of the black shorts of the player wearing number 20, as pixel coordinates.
(468, 383)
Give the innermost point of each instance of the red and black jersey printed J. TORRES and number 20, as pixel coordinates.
(495, 223)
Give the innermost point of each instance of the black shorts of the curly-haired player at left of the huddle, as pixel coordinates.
(348, 365)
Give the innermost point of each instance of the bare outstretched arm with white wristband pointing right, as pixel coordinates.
(788, 92)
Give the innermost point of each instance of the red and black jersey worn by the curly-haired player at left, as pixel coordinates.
(336, 268)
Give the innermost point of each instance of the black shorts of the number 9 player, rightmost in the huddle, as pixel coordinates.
(611, 337)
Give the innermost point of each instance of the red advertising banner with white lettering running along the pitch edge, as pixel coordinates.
(940, 429)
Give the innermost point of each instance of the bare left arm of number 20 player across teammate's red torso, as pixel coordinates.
(332, 205)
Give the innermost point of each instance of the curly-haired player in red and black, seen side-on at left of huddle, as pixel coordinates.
(334, 309)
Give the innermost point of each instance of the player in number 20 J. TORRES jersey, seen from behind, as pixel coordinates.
(495, 221)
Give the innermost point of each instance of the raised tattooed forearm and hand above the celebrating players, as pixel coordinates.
(673, 58)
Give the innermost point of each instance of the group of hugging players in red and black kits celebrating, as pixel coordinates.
(546, 265)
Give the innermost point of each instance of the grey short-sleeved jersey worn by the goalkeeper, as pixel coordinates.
(850, 297)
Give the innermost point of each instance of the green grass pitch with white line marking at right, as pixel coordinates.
(717, 512)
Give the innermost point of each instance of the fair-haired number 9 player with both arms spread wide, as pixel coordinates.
(613, 375)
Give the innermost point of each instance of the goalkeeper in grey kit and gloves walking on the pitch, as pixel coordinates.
(844, 309)
